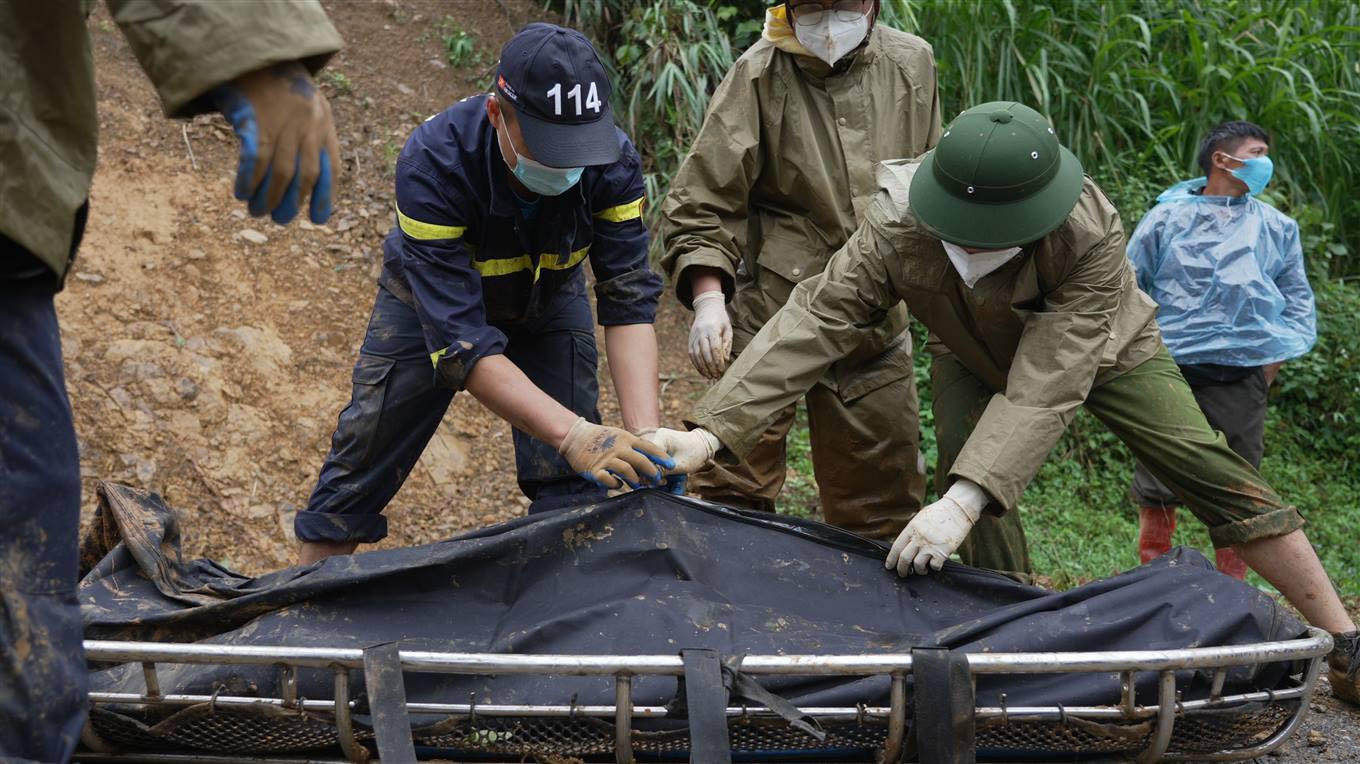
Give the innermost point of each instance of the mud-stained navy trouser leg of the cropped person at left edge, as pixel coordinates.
(43, 672)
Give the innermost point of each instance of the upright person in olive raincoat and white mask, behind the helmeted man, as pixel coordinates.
(776, 183)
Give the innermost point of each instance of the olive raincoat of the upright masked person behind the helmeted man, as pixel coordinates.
(784, 169)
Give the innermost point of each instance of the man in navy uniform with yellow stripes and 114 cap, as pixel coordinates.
(501, 199)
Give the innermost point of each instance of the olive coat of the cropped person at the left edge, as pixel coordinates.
(48, 122)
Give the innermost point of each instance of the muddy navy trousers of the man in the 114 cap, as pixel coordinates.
(396, 407)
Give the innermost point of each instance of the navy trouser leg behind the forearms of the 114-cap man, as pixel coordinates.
(560, 357)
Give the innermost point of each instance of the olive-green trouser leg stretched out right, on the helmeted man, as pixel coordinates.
(1153, 411)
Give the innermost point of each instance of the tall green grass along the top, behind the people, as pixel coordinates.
(1131, 85)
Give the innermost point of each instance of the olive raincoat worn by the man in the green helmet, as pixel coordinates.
(1041, 332)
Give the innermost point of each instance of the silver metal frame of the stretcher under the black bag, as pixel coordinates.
(1313, 649)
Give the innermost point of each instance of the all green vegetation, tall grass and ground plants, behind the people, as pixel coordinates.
(1131, 86)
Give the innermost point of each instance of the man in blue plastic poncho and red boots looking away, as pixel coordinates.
(1234, 304)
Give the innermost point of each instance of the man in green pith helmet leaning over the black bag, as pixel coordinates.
(1017, 263)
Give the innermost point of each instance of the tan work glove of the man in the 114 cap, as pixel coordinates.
(611, 457)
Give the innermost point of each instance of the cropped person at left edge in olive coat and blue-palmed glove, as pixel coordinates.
(251, 62)
